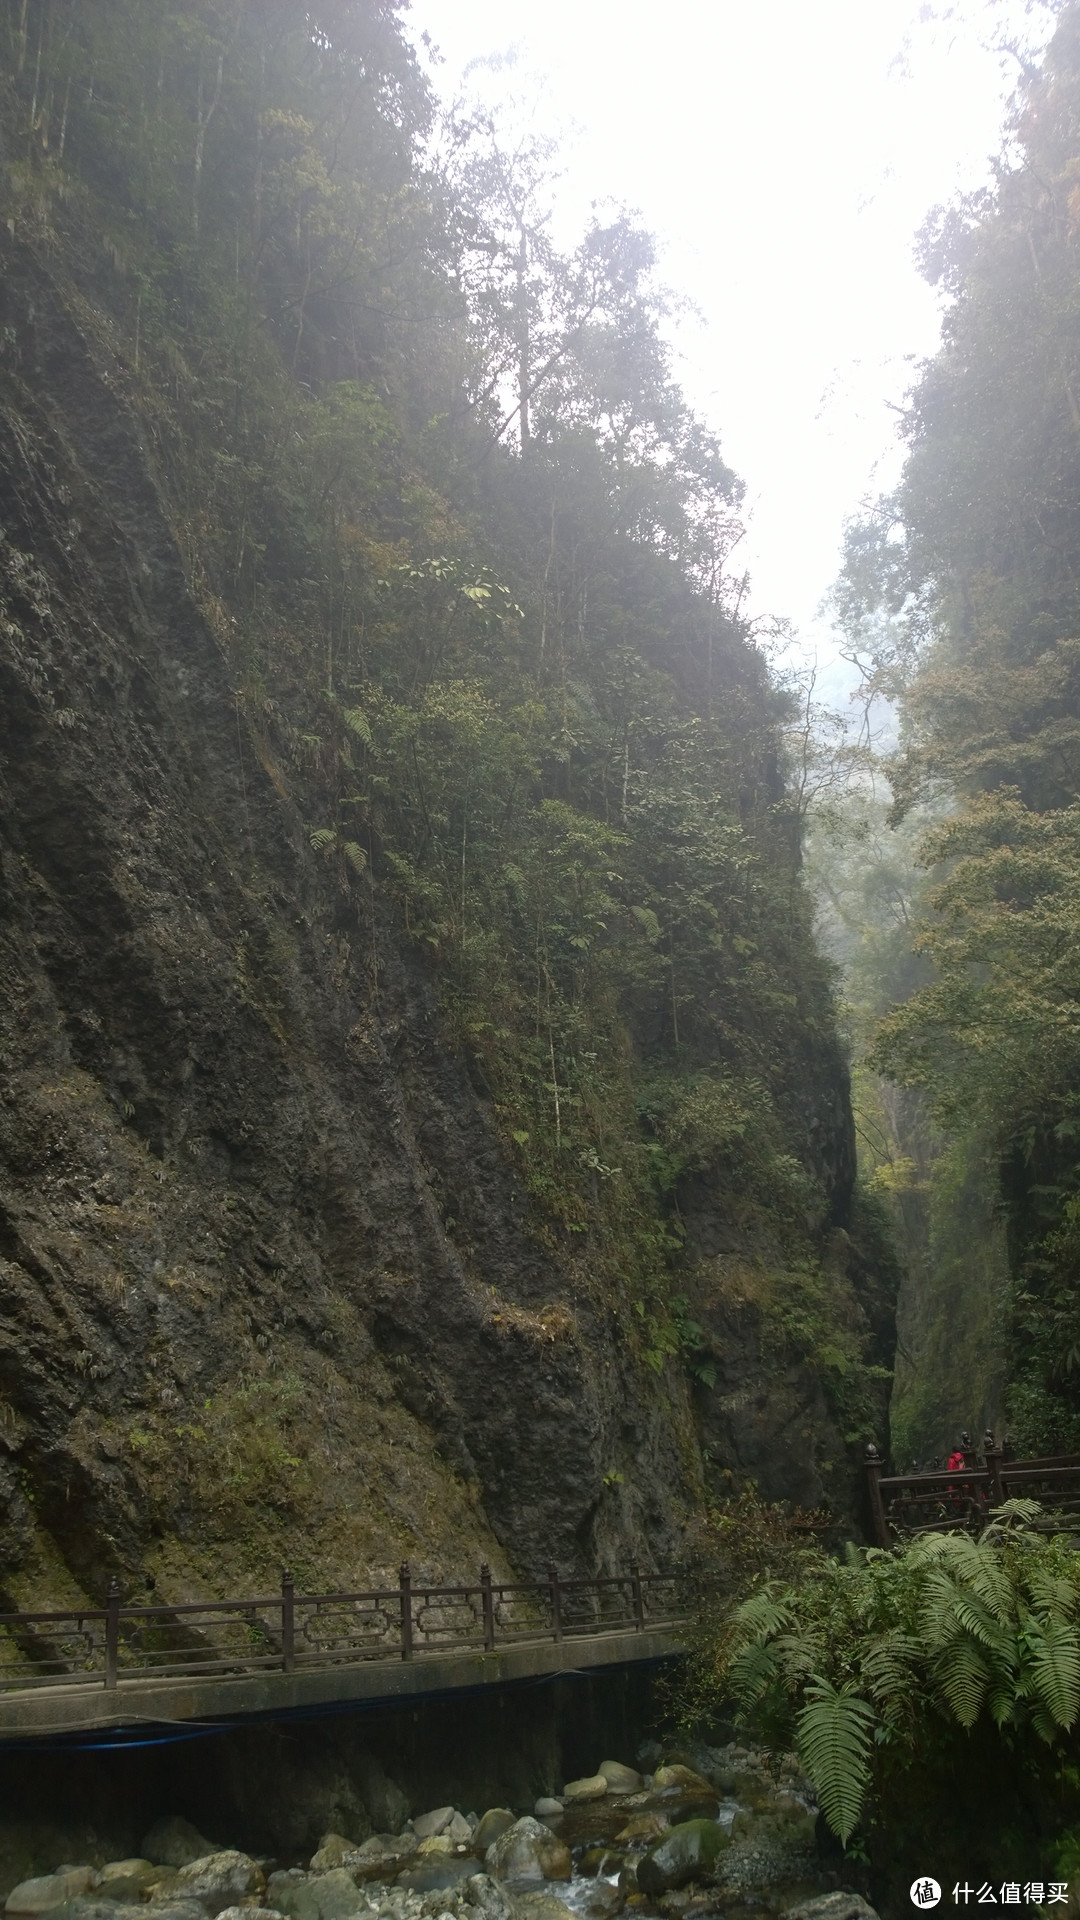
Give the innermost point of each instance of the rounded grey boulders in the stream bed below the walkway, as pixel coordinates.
(731, 1835)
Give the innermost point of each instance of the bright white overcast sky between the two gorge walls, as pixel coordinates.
(785, 155)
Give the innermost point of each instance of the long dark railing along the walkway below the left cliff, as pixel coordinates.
(291, 1631)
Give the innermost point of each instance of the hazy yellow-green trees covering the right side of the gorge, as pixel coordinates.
(962, 596)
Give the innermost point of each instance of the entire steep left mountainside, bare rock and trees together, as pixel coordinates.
(424, 1124)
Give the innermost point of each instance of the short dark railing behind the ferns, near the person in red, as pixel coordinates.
(906, 1504)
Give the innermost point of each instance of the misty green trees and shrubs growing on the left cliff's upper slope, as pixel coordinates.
(470, 552)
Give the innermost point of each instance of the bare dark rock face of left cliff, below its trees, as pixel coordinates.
(268, 1282)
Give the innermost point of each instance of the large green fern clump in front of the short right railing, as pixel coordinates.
(856, 1660)
